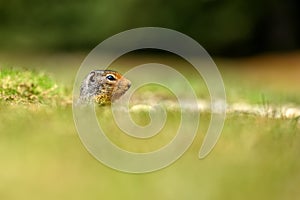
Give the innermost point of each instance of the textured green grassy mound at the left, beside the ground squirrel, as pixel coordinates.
(19, 86)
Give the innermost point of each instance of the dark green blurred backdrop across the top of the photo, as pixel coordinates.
(228, 27)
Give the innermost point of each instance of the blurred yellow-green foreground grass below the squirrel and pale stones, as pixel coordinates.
(43, 158)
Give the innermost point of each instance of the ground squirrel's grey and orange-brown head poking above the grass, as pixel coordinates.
(103, 87)
